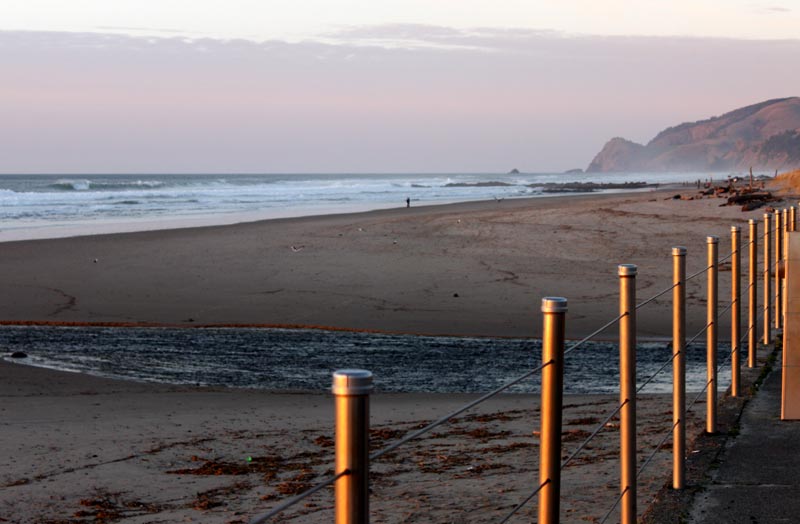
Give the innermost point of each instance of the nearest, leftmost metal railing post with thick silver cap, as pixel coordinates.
(351, 389)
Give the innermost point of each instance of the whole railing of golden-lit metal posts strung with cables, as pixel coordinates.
(352, 392)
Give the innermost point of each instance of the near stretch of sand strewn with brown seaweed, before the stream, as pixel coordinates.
(83, 449)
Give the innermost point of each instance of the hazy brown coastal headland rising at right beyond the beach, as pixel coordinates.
(762, 136)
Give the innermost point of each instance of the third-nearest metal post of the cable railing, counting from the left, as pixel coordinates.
(627, 392)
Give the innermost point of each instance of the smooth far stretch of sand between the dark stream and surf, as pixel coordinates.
(463, 269)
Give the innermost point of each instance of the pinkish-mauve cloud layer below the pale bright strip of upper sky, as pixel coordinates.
(537, 101)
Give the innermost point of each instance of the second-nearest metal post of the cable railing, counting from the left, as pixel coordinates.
(554, 310)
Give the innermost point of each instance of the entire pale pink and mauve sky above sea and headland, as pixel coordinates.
(261, 86)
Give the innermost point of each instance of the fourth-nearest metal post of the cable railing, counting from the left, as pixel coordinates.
(678, 366)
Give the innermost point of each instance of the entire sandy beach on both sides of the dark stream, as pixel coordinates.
(78, 448)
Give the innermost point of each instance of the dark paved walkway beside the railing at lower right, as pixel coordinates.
(758, 480)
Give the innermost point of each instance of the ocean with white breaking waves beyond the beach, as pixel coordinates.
(49, 206)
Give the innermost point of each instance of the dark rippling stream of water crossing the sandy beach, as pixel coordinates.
(303, 359)
